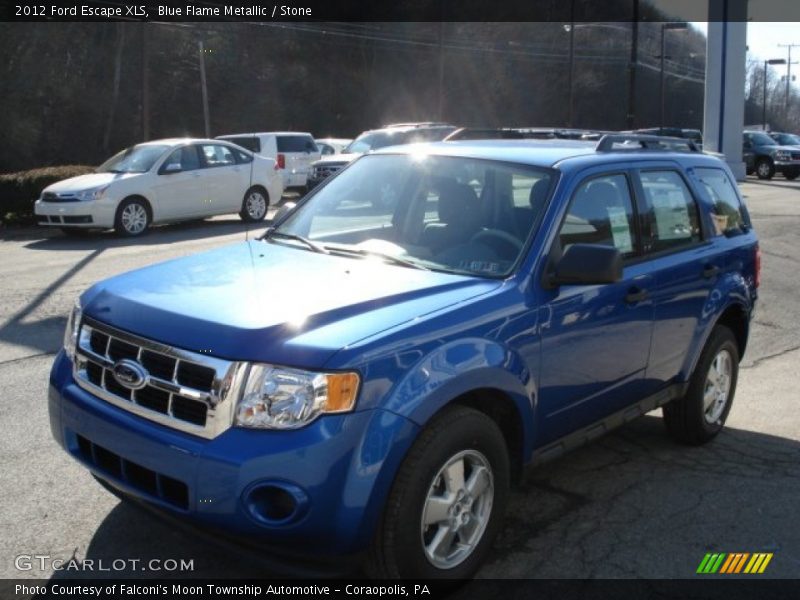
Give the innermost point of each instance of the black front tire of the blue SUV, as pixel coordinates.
(398, 549)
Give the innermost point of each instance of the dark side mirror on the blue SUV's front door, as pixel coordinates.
(588, 264)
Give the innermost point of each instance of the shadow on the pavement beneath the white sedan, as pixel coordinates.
(164, 234)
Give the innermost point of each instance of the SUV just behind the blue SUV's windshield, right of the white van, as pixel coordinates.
(390, 135)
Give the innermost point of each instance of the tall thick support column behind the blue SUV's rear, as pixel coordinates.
(723, 118)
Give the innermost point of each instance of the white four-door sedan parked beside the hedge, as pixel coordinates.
(160, 181)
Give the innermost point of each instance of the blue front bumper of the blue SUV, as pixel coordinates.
(341, 465)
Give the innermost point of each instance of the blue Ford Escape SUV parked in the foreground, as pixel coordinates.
(370, 378)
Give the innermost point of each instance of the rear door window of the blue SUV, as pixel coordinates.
(669, 215)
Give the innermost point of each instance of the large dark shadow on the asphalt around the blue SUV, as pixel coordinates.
(631, 504)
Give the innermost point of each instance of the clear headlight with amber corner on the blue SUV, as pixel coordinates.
(280, 398)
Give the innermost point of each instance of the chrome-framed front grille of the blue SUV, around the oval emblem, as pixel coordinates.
(184, 390)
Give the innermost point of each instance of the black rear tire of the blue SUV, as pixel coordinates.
(687, 419)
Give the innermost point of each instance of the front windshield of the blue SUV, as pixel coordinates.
(452, 214)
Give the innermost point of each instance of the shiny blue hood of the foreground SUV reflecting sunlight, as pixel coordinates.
(272, 302)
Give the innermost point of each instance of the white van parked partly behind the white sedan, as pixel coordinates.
(293, 152)
